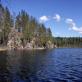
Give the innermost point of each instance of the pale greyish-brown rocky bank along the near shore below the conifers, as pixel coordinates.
(15, 42)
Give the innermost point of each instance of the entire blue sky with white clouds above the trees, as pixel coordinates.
(64, 17)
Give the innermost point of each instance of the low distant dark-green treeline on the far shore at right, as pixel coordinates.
(68, 42)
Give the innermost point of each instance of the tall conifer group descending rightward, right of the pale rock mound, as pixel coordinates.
(31, 28)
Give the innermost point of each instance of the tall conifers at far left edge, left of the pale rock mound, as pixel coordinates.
(5, 24)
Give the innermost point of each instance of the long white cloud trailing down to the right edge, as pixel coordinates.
(73, 26)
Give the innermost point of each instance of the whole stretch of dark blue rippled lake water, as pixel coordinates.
(57, 65)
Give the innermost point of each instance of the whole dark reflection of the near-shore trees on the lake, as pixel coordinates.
(22, 65)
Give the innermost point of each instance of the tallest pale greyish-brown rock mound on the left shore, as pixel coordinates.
(14, 40)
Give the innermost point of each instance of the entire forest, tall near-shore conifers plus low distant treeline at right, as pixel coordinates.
(30, 28)
